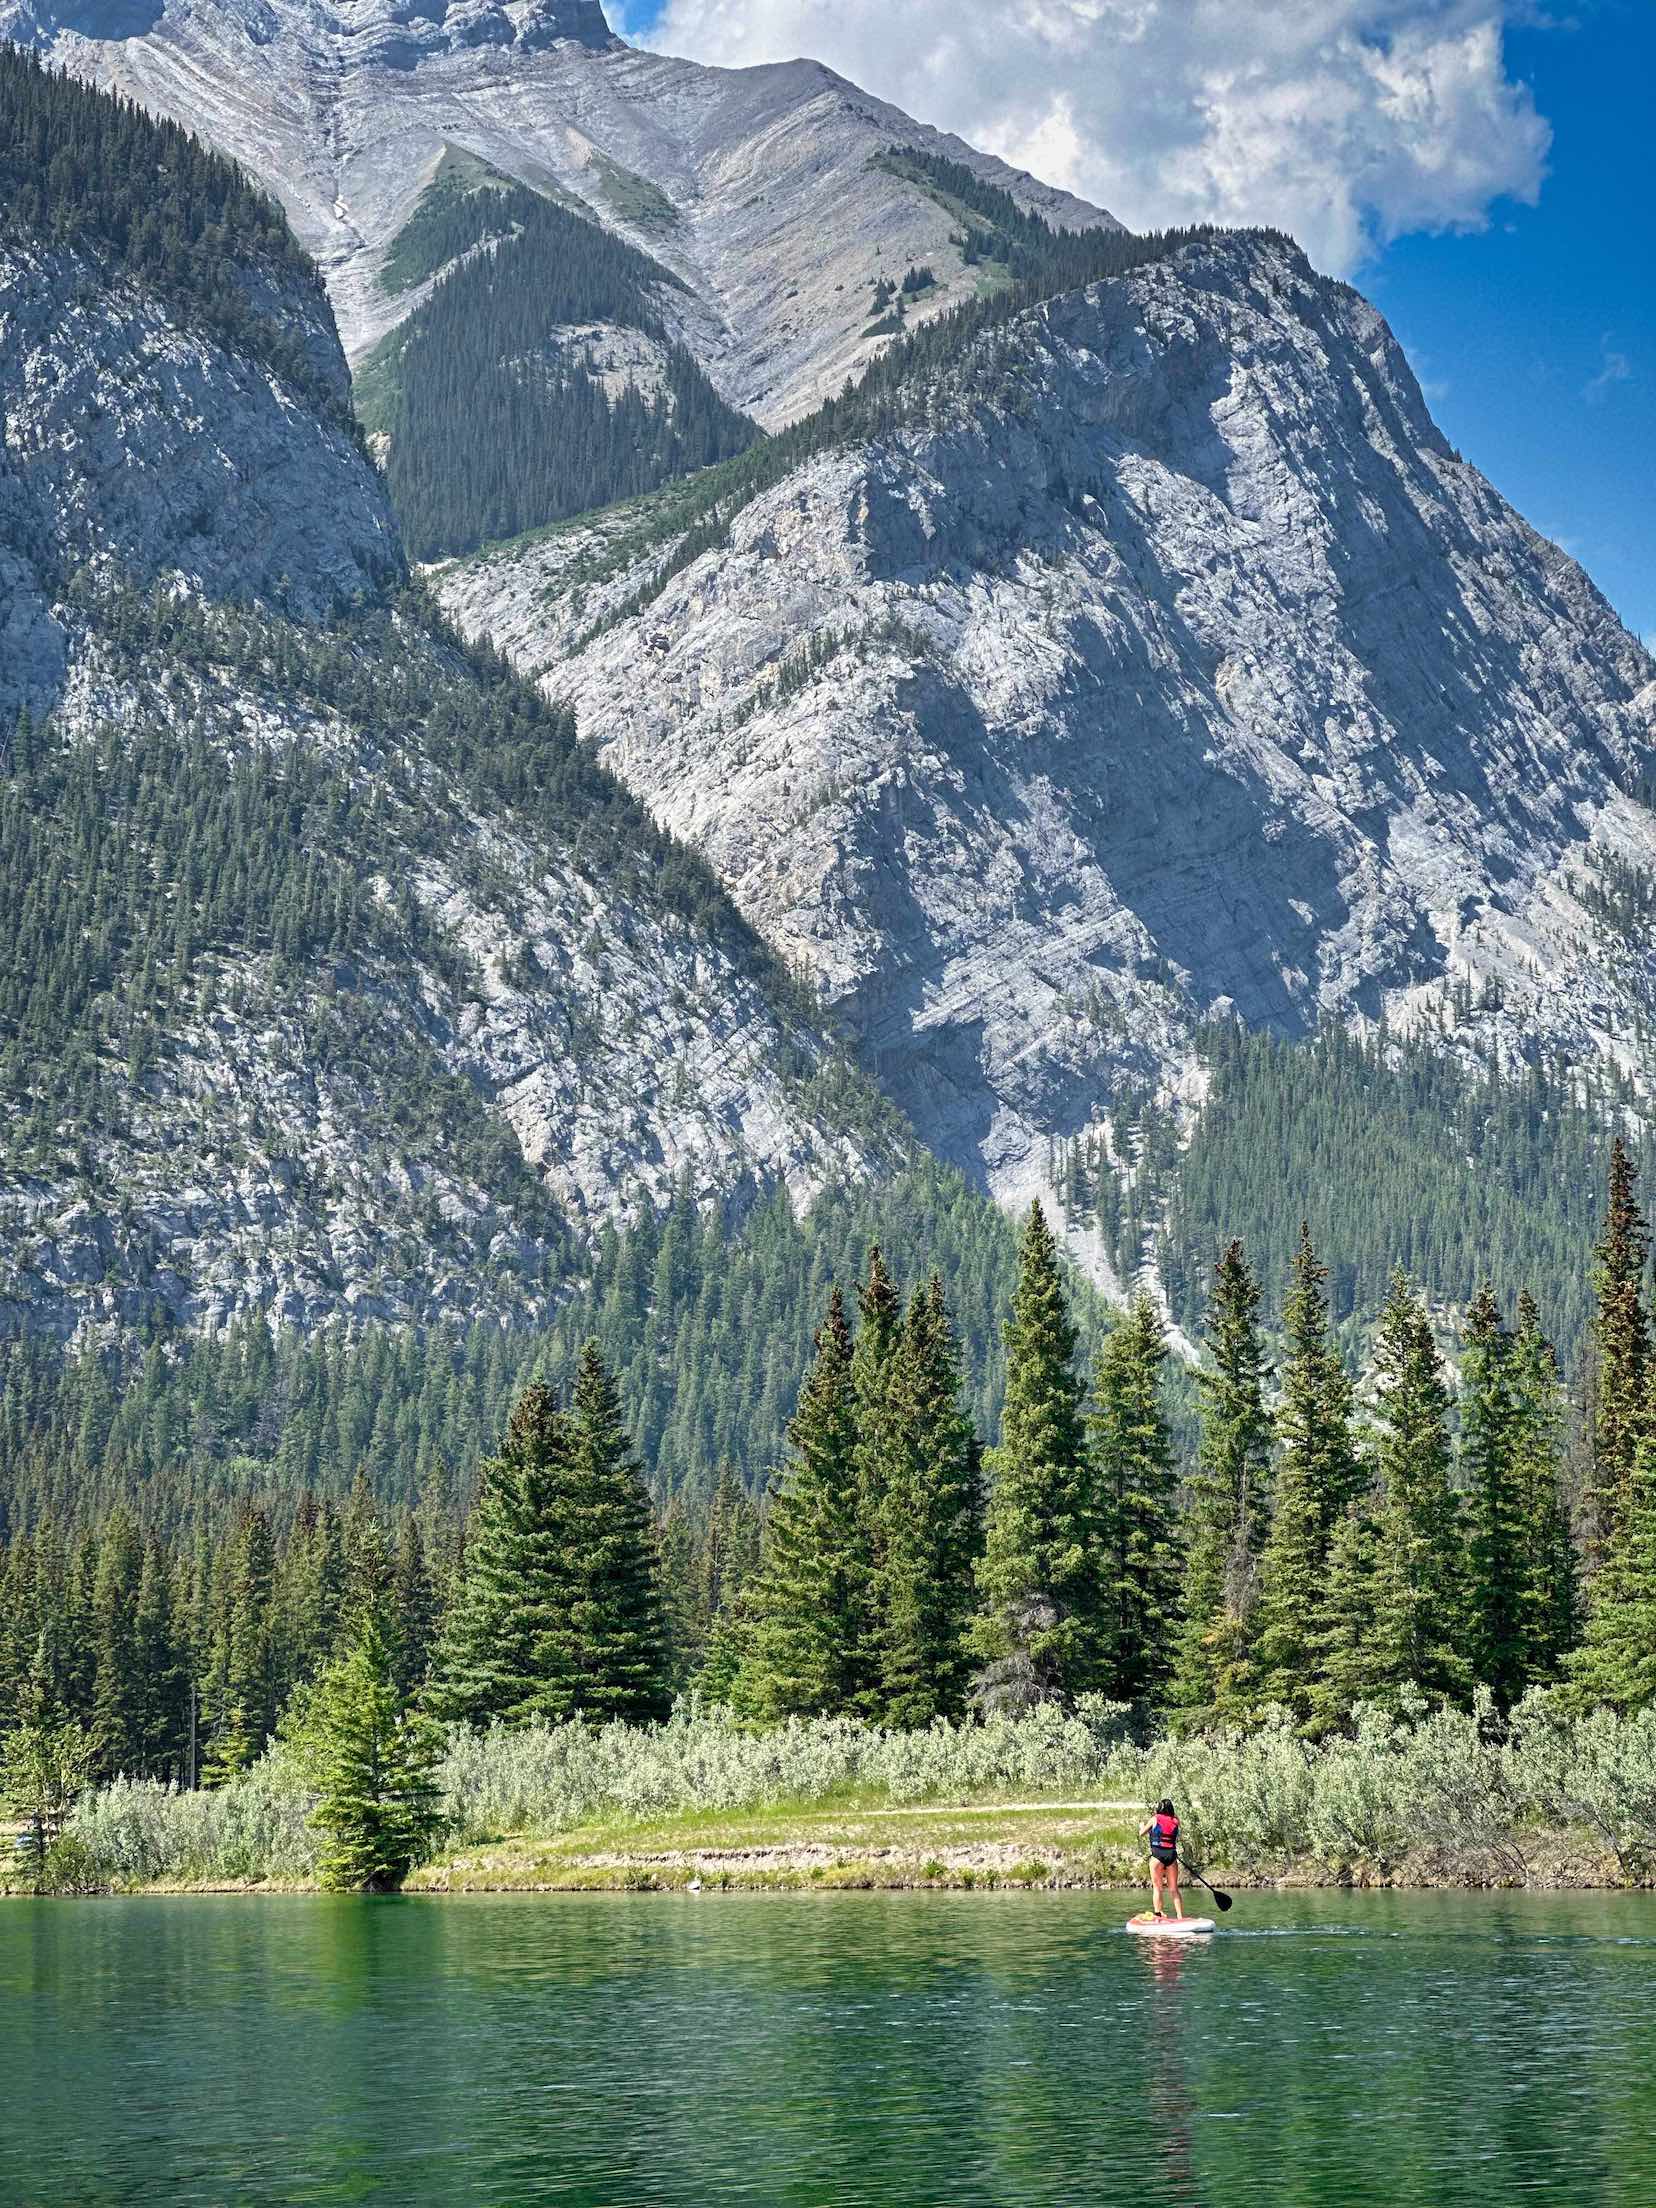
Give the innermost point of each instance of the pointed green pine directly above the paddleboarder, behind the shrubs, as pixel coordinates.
(1136, 1503)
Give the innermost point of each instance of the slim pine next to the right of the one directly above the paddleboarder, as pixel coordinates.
(1229, 1507)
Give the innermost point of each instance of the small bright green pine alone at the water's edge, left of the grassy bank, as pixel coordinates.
(374, 1765)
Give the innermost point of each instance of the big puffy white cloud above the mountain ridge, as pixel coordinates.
(1341, 120)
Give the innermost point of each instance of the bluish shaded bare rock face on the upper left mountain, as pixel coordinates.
(138, 447)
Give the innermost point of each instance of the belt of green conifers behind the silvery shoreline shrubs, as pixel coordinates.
(1333, 1540)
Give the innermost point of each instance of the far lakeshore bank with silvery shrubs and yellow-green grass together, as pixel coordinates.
(1419, 1798)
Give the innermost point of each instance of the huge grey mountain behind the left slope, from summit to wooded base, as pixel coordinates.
(1118, 670)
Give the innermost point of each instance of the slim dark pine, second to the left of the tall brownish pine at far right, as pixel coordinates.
(1492, 1476)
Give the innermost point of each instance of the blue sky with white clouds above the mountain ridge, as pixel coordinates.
(1533, 335)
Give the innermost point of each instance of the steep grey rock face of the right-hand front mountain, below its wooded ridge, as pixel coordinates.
(1171, 664)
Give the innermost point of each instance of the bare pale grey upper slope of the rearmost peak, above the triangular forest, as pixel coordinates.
(756, 189)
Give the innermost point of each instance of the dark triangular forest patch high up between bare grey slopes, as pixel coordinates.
(538, 379)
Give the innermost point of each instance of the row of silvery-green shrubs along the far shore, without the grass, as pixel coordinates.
(1454, 1792)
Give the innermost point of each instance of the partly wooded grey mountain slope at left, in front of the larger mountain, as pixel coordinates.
(335, 975)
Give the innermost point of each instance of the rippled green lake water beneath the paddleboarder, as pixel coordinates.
(829, 2050)
